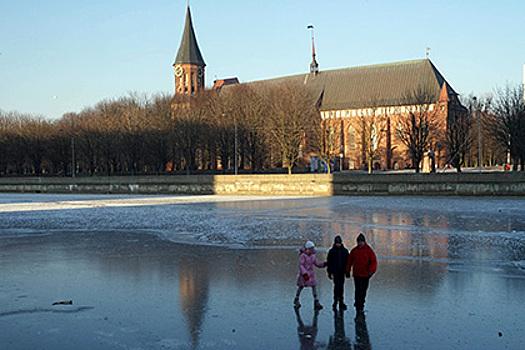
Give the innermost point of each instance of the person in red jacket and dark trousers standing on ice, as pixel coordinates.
(362, 260)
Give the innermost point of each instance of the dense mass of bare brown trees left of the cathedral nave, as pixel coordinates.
(137, 134)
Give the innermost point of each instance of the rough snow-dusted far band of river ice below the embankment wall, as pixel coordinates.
(478, 230)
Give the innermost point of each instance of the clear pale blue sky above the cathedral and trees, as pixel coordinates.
(59, 56)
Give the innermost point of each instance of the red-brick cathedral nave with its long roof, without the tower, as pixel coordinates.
(387, 90)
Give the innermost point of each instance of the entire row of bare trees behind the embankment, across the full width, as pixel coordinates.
(261, 128)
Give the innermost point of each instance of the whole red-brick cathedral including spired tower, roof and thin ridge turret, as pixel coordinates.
(346, 96)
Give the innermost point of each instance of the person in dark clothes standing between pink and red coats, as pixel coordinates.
(336, 268)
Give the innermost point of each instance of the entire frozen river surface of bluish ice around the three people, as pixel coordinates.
(218, 272)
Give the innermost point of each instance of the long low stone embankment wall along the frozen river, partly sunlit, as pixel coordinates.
(449, 184)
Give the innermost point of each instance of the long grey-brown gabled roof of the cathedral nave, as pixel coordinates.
(390, 84)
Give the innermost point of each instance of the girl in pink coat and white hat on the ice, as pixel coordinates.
(306, 277)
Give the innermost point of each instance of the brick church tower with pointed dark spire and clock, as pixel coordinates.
(189, 64)
